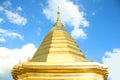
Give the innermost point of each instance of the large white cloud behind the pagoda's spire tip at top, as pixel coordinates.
(70, 14)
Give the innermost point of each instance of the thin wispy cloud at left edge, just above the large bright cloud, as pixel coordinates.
(5, 33)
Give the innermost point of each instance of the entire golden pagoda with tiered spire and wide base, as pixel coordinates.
(59, 58)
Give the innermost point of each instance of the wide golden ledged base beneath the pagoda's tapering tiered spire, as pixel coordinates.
(49, 71)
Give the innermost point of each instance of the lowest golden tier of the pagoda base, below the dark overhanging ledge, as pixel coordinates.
(62, 76)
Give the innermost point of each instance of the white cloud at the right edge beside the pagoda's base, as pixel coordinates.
(111, 59)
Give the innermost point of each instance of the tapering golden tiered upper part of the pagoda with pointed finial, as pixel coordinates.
(58, 46)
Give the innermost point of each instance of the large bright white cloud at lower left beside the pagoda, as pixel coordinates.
(10, 57)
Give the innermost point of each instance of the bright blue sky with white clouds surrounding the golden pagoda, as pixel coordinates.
(94, 24)
